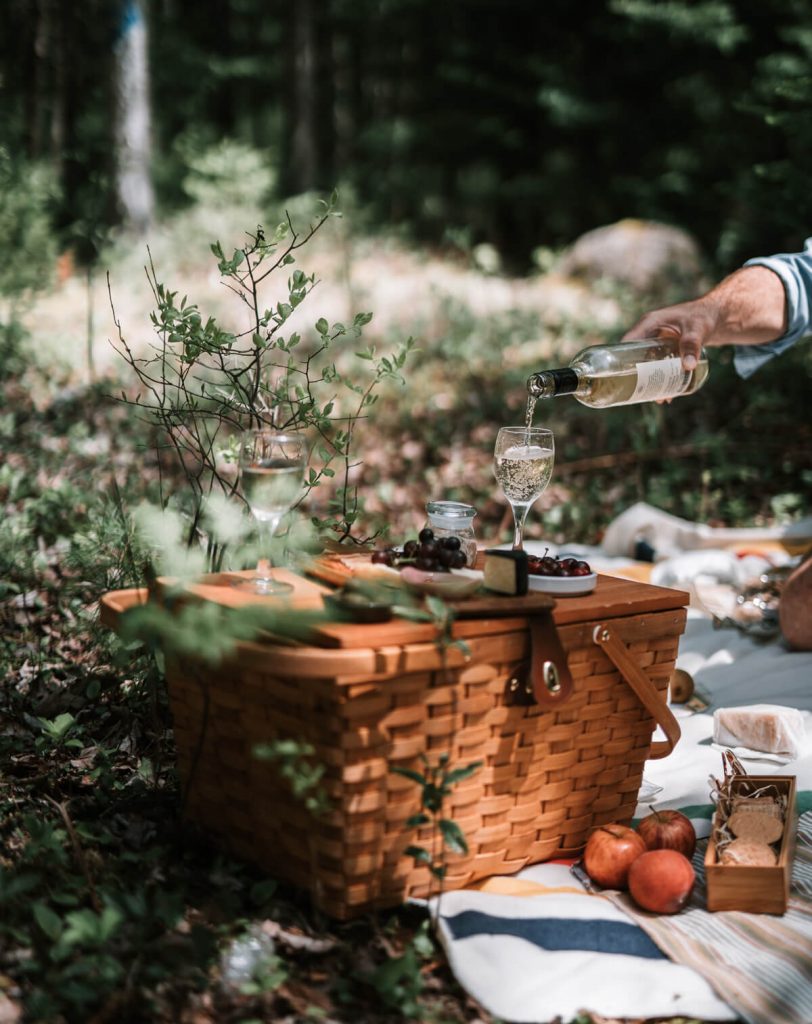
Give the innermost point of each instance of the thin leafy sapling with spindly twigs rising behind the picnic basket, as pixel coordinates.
(203, 385)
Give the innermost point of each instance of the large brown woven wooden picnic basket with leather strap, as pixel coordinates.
(557, 762)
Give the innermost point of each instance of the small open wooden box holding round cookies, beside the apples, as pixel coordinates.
(754, 889)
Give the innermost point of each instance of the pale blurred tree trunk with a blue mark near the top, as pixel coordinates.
(134, 183)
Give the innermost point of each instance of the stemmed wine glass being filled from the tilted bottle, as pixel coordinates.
(523, 465)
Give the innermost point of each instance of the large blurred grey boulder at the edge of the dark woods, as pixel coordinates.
(655, 261)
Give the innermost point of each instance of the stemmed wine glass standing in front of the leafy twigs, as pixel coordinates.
(272, 475)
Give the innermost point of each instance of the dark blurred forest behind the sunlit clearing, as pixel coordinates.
(518, 123)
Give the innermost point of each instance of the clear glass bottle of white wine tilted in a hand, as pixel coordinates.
(642, 370)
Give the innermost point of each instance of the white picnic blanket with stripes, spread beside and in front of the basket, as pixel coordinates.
(537, 947)
